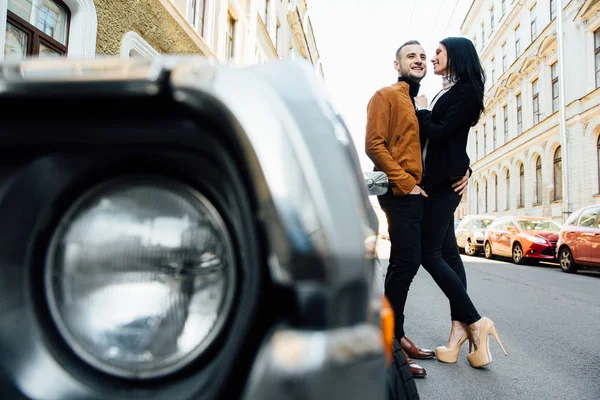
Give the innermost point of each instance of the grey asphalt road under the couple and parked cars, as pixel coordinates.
(548, 321)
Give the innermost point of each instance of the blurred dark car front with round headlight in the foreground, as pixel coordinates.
(177, 229)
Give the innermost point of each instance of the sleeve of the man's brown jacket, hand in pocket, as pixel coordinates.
(378, 125)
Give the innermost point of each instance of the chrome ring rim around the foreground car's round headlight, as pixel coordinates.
(226, 311)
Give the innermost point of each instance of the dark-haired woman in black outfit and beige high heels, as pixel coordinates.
(444, 132)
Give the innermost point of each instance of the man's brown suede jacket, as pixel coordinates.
(392, 139)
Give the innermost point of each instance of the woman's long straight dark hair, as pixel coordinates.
(464, 65)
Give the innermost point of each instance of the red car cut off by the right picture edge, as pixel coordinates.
(579, 241)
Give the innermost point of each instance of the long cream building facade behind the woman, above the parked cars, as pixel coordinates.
(516, 149)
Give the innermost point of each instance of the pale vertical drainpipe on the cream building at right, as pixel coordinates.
(562, 111)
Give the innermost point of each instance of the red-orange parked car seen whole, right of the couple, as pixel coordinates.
(522, 238)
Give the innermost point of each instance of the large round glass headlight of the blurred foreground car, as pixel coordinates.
(140, 277)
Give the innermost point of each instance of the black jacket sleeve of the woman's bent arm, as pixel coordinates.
(460, 113)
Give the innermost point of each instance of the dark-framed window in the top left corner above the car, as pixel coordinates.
(36, 29)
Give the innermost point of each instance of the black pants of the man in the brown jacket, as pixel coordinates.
(404, 215)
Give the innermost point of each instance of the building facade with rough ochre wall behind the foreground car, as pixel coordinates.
(236, 31)
